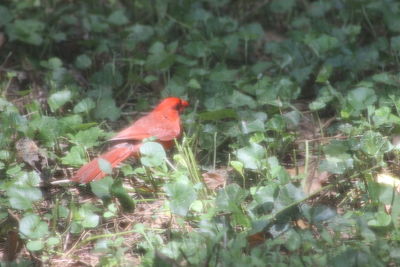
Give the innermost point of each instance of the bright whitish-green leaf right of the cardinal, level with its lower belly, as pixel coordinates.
(251, 156)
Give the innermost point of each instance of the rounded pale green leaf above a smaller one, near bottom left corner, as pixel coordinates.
(32, 227)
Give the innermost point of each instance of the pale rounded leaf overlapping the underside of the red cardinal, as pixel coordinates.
(152, 154)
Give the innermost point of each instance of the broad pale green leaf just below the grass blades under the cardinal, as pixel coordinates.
(181, 195)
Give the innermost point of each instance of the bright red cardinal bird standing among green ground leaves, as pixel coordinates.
(162, 123)
